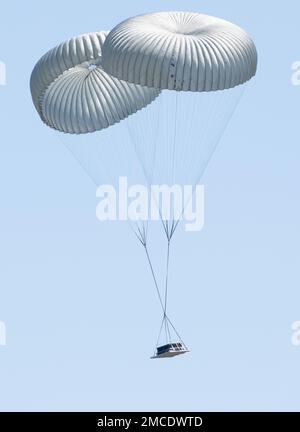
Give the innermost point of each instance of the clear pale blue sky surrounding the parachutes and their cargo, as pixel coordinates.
(76, 295)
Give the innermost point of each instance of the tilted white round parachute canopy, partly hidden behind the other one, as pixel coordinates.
(73, 94)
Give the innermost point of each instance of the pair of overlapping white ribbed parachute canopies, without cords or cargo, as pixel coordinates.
(95, 80)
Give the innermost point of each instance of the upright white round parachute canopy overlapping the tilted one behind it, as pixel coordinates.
(180, 51)
